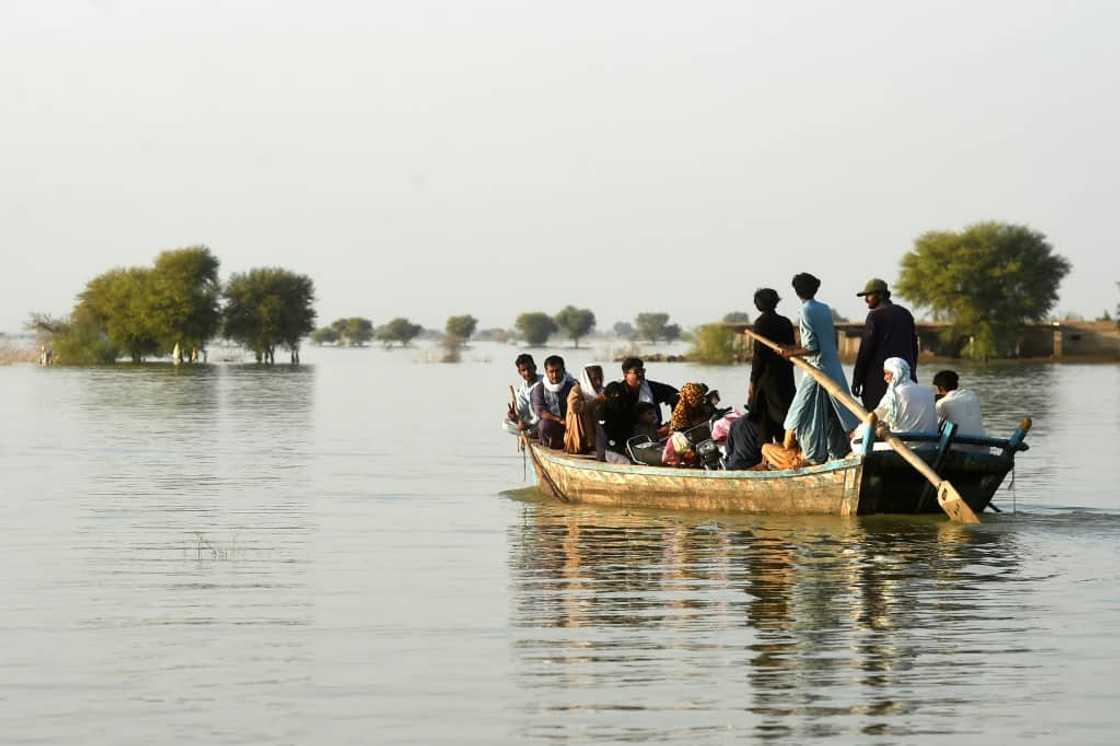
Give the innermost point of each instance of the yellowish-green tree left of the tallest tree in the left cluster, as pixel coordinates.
(119, 302)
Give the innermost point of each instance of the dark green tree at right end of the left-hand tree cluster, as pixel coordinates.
(269, 307)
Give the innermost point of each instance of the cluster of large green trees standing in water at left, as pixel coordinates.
(178, 306)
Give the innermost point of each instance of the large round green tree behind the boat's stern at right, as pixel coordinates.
(988, 281)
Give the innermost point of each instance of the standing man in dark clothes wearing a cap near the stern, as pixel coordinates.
(889, 332)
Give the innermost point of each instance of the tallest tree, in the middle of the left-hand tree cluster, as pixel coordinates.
(185, 299)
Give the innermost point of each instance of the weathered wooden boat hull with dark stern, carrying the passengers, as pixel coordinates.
(880, 482)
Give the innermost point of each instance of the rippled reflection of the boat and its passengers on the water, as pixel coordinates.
(778, 629)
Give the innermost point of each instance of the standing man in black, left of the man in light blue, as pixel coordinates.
(772, 388)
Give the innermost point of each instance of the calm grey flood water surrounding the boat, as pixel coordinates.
(347, 553)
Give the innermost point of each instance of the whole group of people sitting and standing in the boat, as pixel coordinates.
(787, 425)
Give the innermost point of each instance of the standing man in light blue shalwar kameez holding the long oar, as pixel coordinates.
(820, 423)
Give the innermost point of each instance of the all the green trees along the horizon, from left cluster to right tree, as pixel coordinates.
(986, 282)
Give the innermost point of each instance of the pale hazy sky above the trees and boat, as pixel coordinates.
(427, 158)
